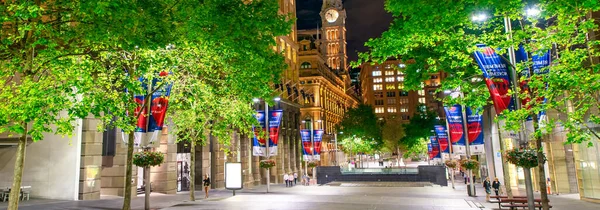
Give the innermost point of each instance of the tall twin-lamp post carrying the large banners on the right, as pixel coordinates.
(530, 12)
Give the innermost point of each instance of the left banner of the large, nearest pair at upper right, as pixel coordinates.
(495, 73)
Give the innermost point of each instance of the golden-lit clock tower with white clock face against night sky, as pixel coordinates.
(333, 40)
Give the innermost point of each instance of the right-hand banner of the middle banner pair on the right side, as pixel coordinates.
(475, 128)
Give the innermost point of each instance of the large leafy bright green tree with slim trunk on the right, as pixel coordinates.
(442, 37)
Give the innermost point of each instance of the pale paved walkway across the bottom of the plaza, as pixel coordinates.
(359, 196)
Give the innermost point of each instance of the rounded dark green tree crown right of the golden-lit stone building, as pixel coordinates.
(360, 130)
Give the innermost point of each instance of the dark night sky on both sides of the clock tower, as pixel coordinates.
(366, 19)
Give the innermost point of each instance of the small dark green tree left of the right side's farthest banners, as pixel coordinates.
(418, 130)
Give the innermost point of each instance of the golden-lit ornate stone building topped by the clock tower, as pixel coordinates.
(327, 91)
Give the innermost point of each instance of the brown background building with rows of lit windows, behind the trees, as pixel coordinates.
(382, 86)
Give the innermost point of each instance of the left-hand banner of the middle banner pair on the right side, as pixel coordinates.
(456, 131)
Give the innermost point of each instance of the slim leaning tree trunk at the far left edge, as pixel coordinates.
(15, 191)
